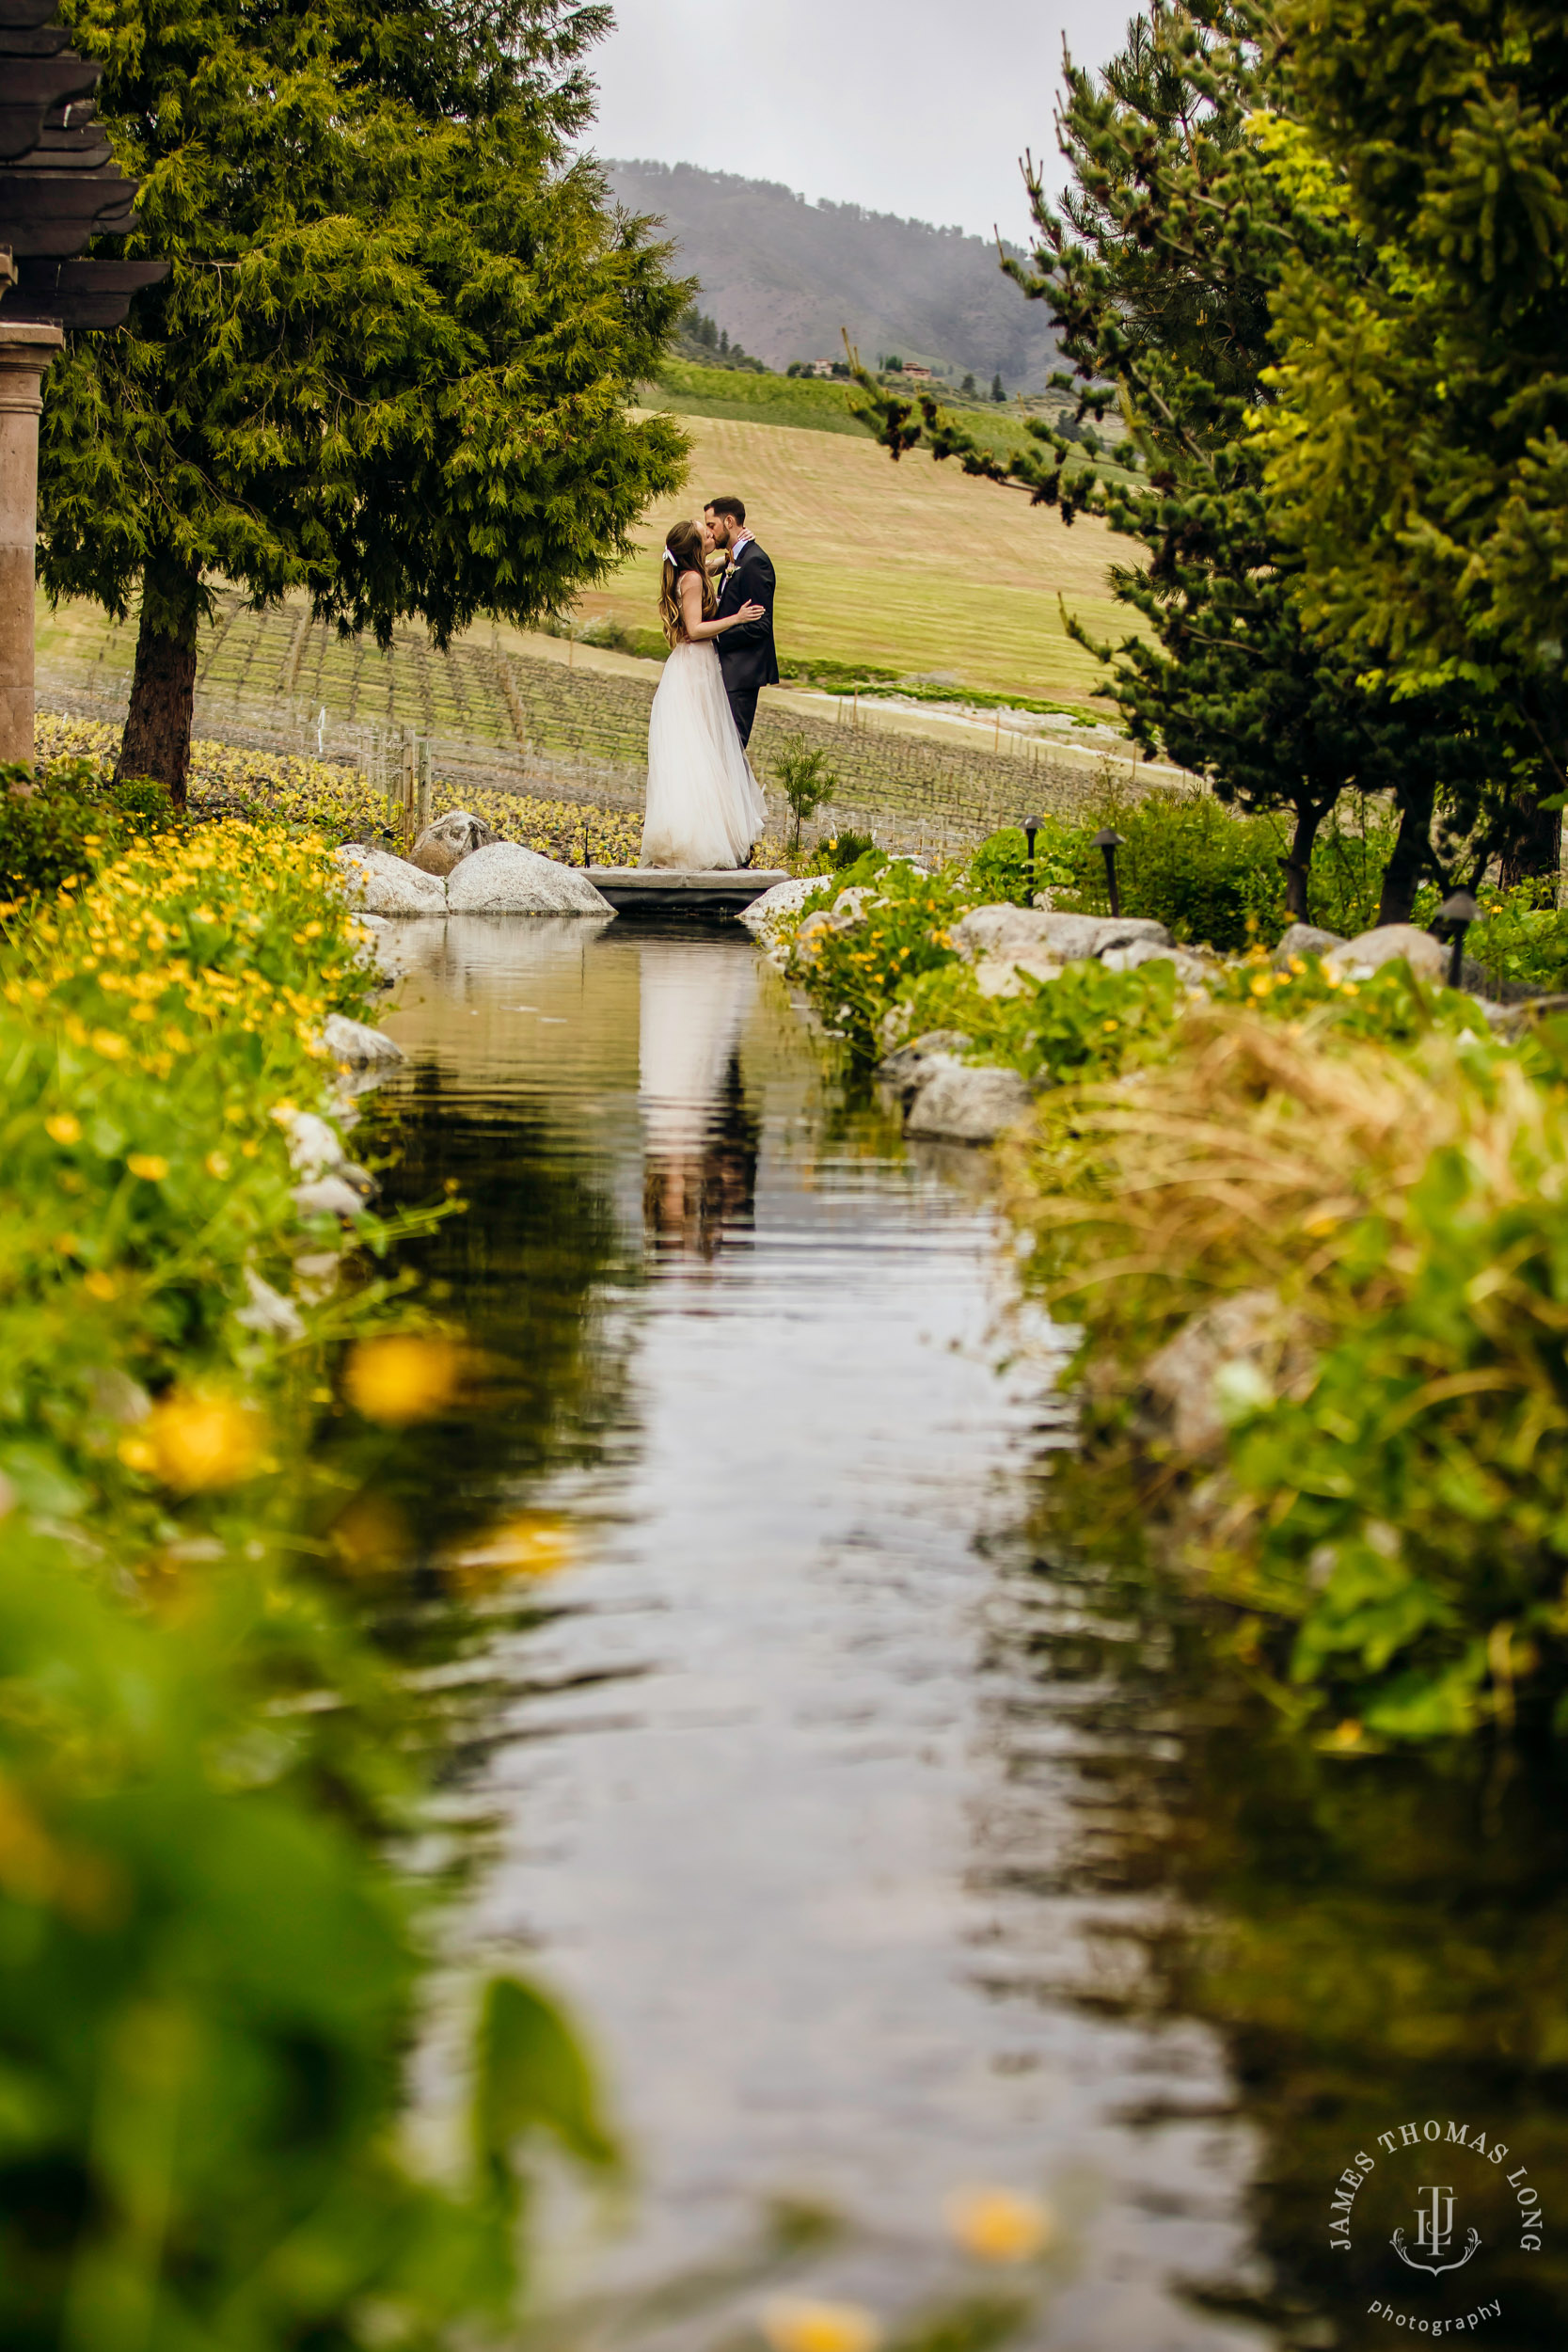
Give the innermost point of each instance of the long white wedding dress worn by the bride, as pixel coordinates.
(704, 803)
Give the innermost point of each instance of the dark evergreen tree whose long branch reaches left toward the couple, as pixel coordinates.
(1160, 272)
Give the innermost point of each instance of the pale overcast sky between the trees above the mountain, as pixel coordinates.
(918, 107)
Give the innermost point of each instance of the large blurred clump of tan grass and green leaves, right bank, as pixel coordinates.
(1391, 1518)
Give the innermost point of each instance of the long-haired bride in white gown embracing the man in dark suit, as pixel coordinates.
(706, 808)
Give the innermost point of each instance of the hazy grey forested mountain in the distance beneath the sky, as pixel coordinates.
(786, 276)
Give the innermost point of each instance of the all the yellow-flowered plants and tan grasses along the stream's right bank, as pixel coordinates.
(1343, 1198)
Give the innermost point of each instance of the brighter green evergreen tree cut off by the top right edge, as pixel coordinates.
(1421, 455)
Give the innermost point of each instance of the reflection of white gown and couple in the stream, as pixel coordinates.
(702, 1142)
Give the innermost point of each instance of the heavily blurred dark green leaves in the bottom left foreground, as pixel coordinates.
(210, 1986)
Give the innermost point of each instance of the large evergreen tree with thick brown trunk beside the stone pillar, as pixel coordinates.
(394, 356)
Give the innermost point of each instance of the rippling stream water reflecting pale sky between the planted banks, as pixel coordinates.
(878, 1852)
